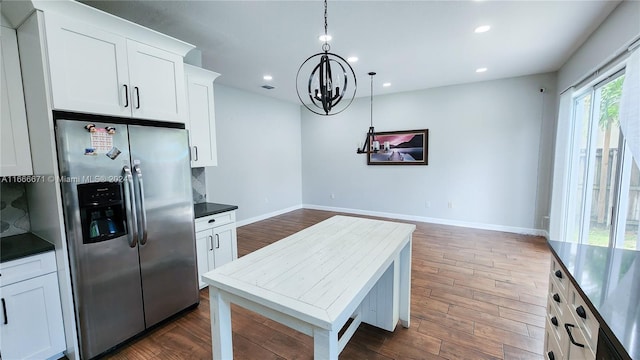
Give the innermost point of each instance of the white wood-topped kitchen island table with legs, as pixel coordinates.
(318, 279)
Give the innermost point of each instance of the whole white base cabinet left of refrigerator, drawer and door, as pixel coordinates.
(31, 326)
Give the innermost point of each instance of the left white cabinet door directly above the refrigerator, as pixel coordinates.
(88, 68)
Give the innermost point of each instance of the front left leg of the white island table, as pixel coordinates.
(221, 342)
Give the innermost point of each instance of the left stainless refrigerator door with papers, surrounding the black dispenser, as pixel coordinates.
(105, 274)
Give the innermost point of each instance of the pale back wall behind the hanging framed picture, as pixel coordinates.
(485, 150)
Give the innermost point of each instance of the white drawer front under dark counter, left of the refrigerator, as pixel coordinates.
(27, 268)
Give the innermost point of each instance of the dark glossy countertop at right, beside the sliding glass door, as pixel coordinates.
(609, 279)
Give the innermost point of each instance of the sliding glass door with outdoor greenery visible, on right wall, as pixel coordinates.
(603, 204)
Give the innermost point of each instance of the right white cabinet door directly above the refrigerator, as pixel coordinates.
(157, 81)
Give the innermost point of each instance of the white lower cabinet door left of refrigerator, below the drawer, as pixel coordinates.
(32, 327)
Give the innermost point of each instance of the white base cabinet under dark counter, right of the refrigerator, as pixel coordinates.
(216, 242)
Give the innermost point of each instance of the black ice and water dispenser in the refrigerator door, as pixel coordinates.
(102, 211)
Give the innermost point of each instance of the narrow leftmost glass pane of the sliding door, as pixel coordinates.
(582, 121)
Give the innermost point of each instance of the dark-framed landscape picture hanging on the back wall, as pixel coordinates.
(406, 147)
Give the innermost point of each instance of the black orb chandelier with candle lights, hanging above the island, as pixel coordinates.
(331, 85)
